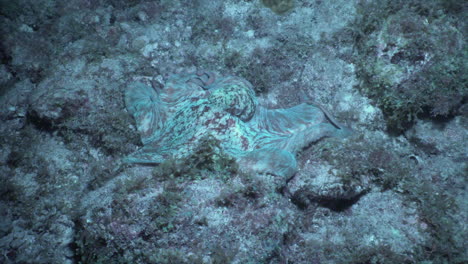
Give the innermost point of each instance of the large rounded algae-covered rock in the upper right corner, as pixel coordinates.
(412, 62)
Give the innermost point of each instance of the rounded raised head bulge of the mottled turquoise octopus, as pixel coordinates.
(236, 98)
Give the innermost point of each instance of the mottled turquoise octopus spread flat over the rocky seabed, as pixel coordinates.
(172, 121)
